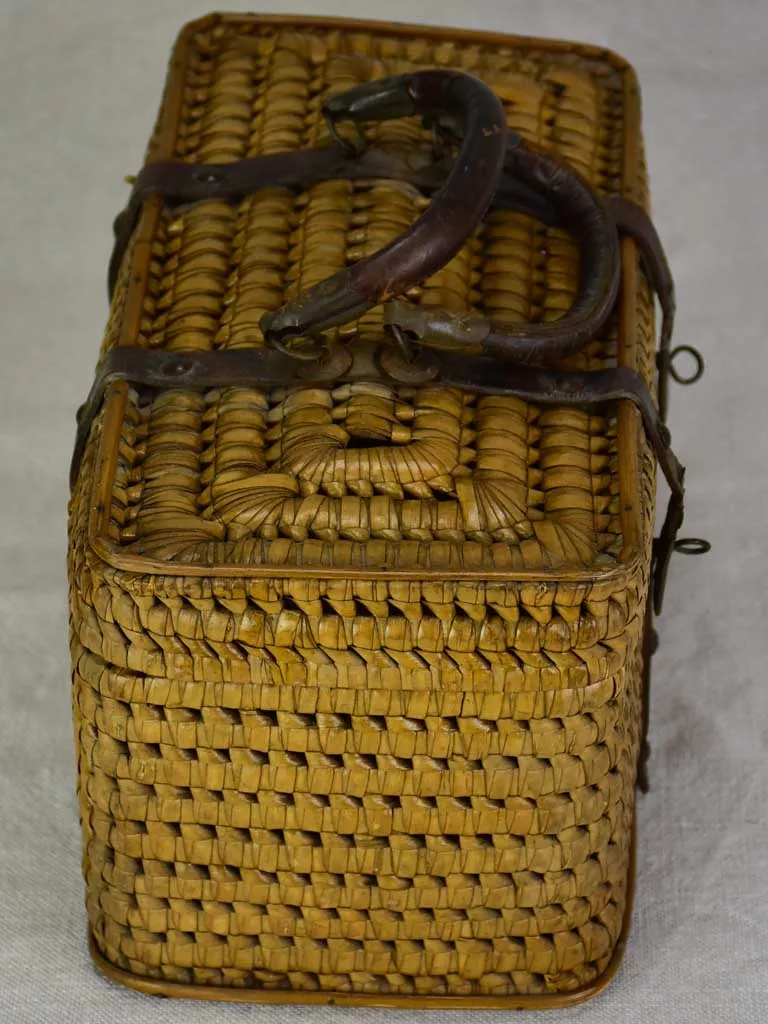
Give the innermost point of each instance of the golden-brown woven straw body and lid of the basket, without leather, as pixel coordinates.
(358, 670)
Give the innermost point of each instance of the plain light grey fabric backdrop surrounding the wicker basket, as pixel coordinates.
(80, 81)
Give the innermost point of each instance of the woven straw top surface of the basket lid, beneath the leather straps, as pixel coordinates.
(365, 477)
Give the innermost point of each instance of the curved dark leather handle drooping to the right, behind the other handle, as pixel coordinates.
(578, 208)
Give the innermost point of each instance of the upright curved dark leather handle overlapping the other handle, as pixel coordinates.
(439, 234)
